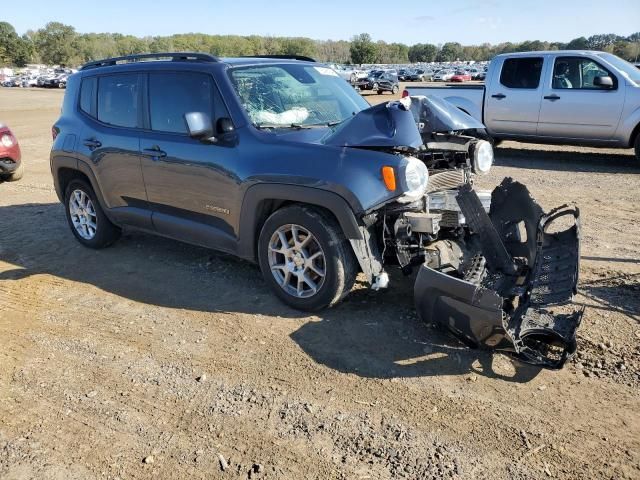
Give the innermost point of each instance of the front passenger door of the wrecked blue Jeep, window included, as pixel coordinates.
(189, 183)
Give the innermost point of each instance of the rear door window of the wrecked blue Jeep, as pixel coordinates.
(118, 100)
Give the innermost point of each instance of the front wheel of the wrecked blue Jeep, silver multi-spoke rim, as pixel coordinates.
(305, 258)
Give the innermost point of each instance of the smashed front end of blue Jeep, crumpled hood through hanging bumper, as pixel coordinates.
(494, 269)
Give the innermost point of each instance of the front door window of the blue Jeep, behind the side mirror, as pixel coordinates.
(171, 95)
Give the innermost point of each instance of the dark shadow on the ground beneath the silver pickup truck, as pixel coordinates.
(567, 161)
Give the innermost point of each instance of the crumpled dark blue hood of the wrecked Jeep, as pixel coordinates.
(400, 123)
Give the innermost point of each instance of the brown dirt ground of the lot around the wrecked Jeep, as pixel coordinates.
(157, 359)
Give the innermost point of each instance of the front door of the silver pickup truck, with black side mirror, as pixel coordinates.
(573, 107)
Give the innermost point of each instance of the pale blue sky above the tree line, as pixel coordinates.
(407, 21)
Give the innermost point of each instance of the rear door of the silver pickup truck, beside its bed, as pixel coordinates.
(512, 104)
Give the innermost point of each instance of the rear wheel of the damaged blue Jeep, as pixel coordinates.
(86, 219)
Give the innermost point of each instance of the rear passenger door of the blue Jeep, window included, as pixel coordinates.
(109, 143)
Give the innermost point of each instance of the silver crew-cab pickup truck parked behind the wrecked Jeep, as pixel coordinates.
(565, 97)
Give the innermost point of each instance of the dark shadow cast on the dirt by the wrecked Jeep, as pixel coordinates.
(370, 334)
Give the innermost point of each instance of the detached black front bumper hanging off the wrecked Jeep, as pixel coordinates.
(515, 292)
